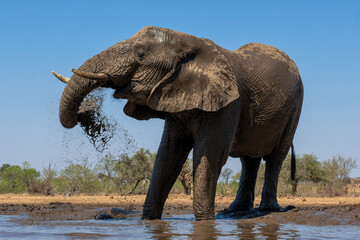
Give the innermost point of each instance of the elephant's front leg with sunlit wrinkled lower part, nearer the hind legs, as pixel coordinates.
(212, 146)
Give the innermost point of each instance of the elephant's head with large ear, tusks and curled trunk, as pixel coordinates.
(157, 70)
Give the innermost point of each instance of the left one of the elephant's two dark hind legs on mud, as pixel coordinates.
(245, 195)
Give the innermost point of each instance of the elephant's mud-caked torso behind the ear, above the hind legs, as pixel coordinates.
(273, 89)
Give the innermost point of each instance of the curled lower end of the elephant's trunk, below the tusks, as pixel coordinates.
(72, 96)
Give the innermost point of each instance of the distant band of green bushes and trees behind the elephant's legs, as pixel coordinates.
(131, 175)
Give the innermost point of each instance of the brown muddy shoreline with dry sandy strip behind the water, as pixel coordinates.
(308, 211)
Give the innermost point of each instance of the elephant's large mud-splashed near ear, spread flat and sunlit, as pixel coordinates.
(204, 79)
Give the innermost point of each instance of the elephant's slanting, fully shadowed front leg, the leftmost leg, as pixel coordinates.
(174, 148)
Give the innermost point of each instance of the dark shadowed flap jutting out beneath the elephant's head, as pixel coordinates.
(141, 112)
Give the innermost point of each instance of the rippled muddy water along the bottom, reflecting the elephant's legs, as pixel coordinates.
(177, 227)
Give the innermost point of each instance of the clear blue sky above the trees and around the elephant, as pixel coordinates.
(322, 37)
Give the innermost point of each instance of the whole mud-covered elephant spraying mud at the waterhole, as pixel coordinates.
(219, 103)
